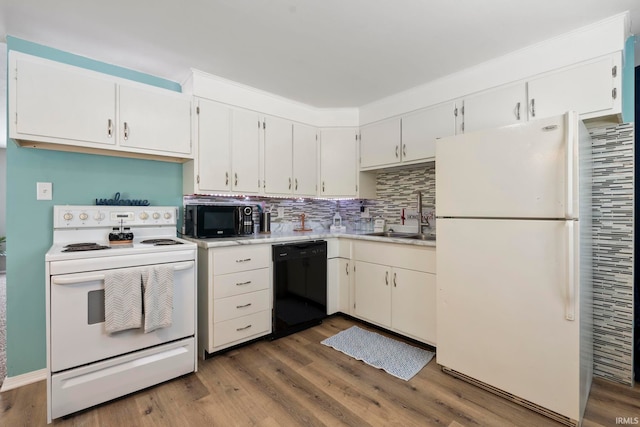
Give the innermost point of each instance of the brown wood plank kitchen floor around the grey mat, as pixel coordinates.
(296, 381)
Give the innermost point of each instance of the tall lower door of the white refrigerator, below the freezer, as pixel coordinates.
(503, 295)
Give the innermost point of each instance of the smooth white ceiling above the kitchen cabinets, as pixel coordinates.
(325, 53)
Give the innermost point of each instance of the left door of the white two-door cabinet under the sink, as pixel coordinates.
(373, 292)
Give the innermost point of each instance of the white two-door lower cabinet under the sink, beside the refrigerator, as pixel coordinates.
(395, 287)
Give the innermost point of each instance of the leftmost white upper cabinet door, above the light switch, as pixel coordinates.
(58, 102)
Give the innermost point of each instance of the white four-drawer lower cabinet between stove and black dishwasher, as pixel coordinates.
(234, 296)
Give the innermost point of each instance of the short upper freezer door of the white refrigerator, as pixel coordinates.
(519, 171)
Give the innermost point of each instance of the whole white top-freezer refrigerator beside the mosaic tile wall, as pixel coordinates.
(514, 276)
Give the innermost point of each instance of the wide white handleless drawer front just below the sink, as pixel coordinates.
(417, 258)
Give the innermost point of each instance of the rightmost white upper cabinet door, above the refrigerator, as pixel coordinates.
(585, 89)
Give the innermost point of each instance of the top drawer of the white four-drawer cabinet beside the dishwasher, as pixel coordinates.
(232, 260)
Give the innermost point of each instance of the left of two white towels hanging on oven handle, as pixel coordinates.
(122, 300)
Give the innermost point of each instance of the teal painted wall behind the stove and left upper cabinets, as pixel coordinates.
(77, 179)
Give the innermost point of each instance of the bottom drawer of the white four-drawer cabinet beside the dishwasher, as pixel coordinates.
(241, 328)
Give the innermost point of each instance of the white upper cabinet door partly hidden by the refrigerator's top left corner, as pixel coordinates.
(420, 131)
